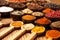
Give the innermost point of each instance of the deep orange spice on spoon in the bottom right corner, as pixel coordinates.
(53, 34)
